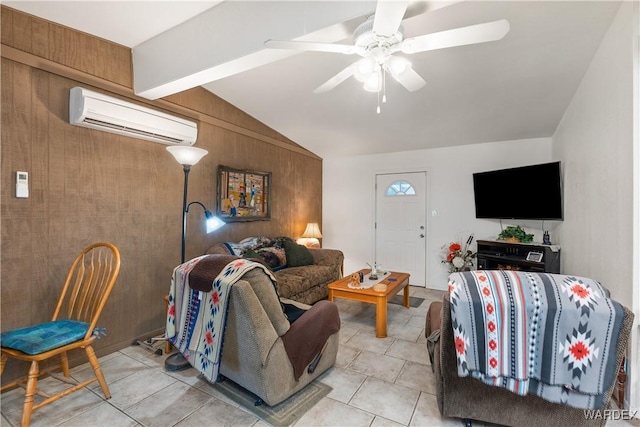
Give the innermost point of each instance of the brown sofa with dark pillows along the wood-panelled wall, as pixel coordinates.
(302, 273)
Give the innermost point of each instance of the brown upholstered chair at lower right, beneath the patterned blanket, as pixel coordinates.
(470, 399)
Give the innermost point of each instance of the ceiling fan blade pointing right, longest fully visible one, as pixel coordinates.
(479, 33)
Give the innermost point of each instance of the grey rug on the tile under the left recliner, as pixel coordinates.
(282, 414)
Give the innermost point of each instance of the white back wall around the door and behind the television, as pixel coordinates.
(349, 197)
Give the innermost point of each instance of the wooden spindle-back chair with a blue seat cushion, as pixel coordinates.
(84, 295)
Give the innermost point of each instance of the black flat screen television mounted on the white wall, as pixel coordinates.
(528, 192)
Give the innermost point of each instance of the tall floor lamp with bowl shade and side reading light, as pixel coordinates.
(188, 156)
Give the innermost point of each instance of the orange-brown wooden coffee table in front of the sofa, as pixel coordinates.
(395, 282)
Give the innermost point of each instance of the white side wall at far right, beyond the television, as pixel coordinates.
(595, 143)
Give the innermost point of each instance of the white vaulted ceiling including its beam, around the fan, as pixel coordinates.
(514, 88)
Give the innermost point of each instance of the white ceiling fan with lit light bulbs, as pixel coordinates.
(378, 39)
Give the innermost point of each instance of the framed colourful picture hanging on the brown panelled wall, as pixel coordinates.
(243, 195)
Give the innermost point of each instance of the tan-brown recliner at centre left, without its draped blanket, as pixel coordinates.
(255, 353)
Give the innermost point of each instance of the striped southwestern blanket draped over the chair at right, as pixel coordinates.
(550, 335)
